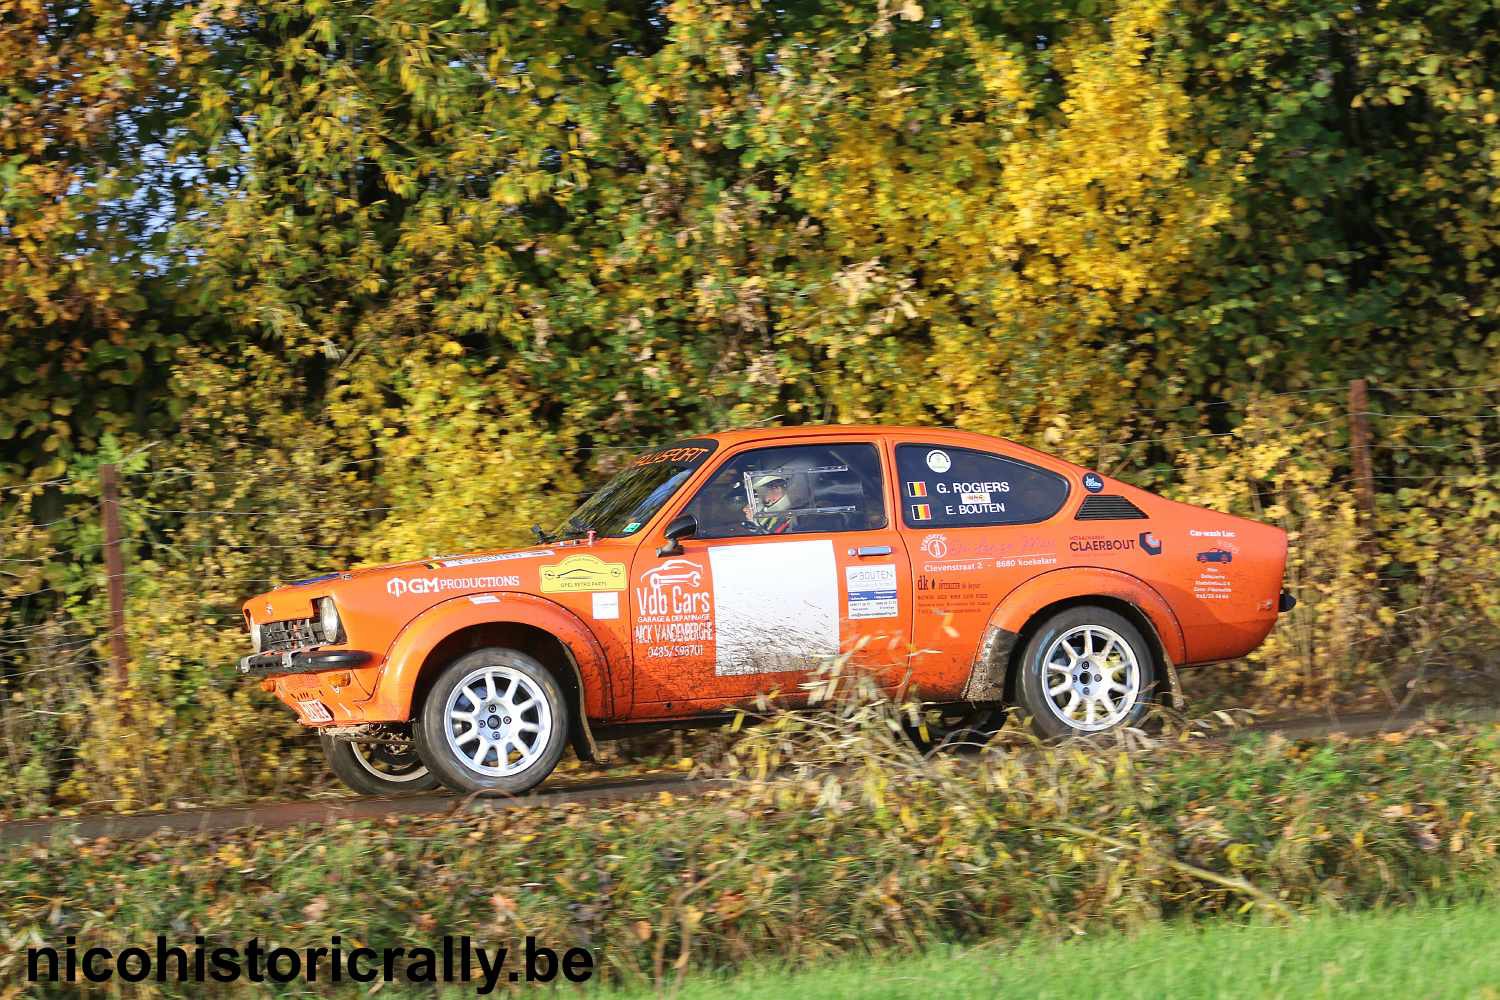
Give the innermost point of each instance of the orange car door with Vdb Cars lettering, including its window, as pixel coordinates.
(775, 581)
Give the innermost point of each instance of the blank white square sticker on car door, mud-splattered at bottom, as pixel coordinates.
(776, 606)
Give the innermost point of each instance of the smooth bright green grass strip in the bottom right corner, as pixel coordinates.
(1420, 953)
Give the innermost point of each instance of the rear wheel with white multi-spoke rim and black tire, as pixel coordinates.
(1088, 690)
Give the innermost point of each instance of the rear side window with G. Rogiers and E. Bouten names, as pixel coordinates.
(958, 488)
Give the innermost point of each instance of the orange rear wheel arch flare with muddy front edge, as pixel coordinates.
(1016, 620)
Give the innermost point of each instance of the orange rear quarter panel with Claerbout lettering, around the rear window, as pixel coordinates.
(1208, 582)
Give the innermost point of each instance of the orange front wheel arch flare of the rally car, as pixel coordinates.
(514, 621)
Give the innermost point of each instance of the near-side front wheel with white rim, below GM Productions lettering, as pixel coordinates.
(532, 707)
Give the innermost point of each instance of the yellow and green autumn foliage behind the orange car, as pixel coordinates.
(340, 286)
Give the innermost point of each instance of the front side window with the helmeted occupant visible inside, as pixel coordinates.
(793, 491)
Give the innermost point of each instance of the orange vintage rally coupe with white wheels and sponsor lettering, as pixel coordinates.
(974, 570)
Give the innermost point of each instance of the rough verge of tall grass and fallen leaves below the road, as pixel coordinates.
(889, 852)
